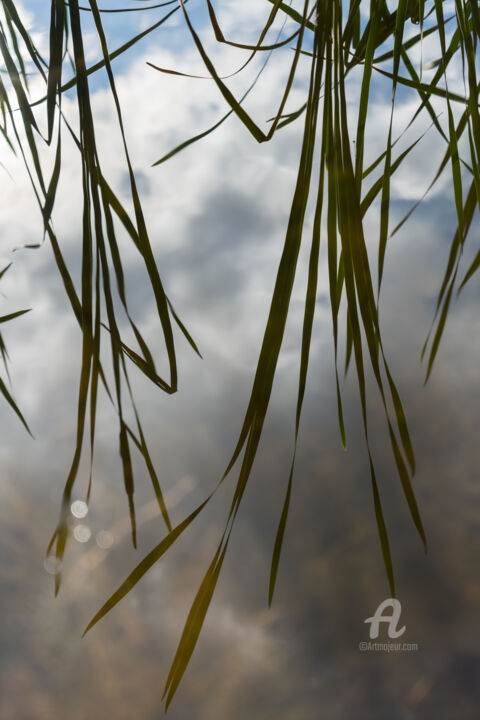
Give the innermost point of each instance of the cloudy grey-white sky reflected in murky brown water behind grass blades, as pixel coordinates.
(216, 215)
